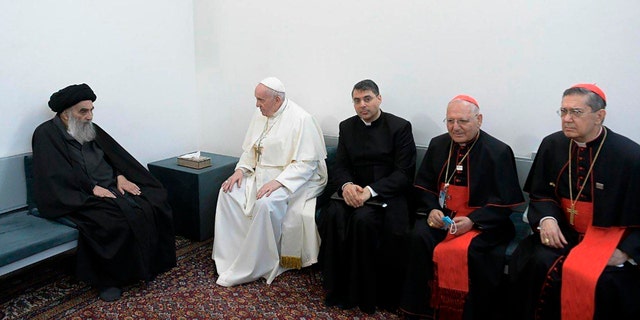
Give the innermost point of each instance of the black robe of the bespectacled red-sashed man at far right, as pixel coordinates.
(535, 269)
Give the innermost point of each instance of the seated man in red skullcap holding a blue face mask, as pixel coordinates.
(470, 177)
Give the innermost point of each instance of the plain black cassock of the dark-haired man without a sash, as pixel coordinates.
(361, 248)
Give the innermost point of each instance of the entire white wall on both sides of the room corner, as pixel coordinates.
(516, 57)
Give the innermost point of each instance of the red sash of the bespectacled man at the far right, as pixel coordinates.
(585, 262)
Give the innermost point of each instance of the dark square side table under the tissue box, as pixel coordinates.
(193, 193)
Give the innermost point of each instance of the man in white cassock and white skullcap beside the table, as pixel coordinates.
(264, 222)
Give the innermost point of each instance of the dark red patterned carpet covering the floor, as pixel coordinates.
(50, 291)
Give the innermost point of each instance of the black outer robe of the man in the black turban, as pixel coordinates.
(121, 240)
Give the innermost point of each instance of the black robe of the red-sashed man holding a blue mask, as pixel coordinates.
(489, 171)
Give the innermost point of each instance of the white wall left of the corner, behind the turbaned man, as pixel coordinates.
(138, 56)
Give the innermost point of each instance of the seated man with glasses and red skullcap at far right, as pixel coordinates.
(584, 185)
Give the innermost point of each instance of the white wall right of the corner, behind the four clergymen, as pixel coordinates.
(515, 56)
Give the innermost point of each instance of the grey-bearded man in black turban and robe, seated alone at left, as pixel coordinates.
(80, 172)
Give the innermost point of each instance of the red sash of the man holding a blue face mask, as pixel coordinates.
(451, 278)
